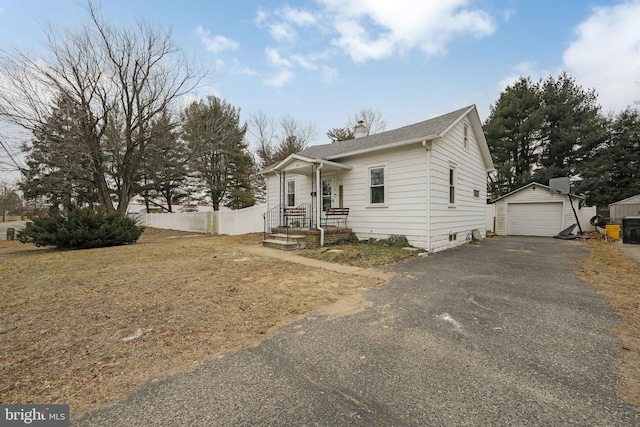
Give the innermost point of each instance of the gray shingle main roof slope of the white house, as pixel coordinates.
(427, 128)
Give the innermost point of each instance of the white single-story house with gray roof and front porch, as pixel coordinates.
(426, 181)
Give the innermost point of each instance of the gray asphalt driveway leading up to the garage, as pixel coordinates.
(501, 333)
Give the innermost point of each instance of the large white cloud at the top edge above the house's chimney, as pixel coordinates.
(370, 29)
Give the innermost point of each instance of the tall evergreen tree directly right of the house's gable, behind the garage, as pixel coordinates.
(513, 135)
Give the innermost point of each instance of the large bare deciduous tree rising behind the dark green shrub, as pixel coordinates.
(113, 76)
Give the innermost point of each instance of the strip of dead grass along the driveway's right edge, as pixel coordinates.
(617, 277)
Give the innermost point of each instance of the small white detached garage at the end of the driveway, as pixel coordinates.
(534, 210)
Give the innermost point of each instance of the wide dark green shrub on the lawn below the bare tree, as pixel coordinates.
(80, 228)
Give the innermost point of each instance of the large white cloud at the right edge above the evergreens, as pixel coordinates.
(605, 54)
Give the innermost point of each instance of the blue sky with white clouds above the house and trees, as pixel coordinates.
(324, 60)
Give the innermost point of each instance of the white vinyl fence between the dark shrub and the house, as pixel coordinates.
(225, 221)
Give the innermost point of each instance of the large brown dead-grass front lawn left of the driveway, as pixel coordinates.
(87, 327)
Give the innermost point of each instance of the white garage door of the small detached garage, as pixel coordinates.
(534, 219)
